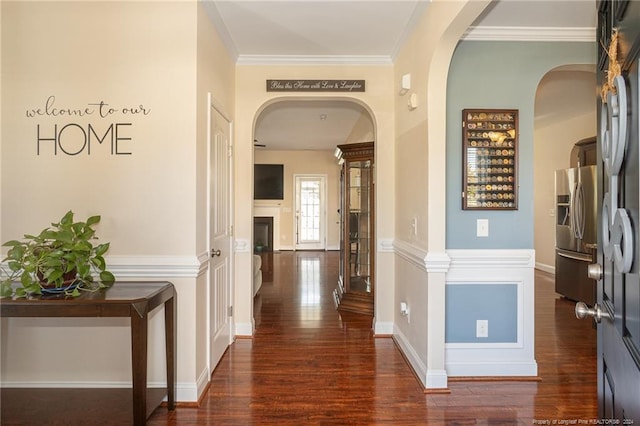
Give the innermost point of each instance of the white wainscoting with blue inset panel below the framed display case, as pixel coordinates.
(496, 286)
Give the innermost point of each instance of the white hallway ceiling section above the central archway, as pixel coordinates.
(352, 31)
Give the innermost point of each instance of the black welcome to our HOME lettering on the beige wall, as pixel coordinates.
(96, 126)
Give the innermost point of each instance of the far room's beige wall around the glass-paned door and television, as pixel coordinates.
(303, 162)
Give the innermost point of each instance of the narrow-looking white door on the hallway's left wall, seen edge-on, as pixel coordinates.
(220, 238)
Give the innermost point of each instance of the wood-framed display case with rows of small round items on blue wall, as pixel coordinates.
(490, 159)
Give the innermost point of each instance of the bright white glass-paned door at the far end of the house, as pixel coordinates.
(311, 209)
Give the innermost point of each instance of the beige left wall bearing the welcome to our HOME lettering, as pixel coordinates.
(164, 56)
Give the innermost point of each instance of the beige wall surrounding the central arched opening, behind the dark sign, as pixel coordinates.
(251, 99)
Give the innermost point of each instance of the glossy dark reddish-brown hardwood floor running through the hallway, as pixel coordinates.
(309, 364)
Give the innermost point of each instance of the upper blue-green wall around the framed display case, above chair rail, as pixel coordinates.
(495, 75)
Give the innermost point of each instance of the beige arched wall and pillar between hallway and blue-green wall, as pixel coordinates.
(419, 185)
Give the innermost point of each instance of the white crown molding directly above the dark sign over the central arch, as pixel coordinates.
(314, 60)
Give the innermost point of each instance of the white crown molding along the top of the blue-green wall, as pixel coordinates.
(487, 33)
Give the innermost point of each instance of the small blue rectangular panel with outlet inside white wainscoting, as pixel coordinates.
(467, 303)
